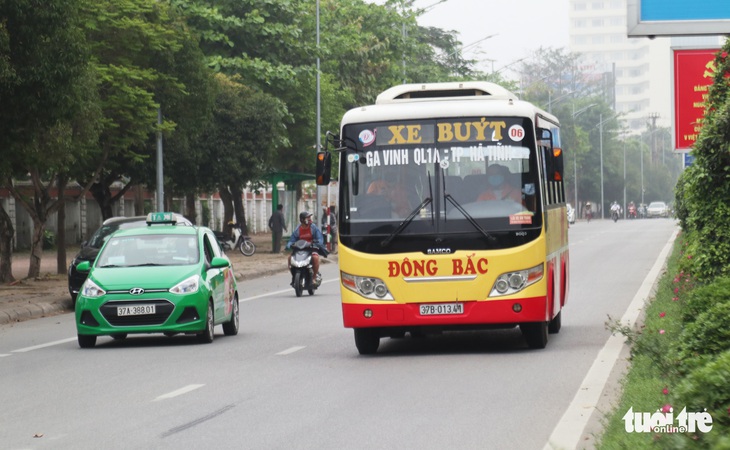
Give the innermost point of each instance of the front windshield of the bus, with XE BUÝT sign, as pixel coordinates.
(439, 177)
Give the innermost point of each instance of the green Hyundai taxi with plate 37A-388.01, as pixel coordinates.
(158, 279)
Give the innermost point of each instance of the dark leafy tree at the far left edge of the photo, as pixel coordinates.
(44, 64)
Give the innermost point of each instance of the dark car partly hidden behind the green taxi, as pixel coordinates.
(89, 249)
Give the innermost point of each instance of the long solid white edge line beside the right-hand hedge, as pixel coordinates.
(570, 428)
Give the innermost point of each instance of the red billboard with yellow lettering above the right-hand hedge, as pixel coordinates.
(693, 73)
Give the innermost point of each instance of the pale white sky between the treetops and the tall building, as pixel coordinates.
(521, 27)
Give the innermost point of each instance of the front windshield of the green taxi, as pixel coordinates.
(149, 250)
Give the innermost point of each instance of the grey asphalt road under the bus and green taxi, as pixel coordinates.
(292, 379)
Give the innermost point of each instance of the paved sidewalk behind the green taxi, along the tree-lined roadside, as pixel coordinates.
(48, 294)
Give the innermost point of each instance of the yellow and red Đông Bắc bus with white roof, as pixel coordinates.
(422, 247)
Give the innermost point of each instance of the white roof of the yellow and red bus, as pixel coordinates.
(453, 99)
